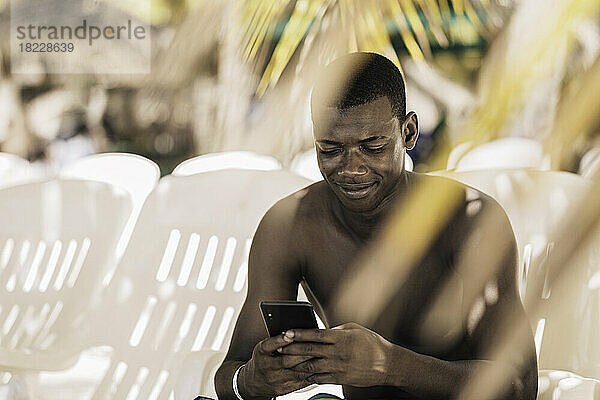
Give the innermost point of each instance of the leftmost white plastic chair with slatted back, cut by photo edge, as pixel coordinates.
(57, 239)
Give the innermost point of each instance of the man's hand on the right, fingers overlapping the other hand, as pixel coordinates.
(348, 354)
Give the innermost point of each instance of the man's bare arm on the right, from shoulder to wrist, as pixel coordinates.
(504, 364)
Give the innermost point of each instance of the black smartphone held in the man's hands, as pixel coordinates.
(280, 316)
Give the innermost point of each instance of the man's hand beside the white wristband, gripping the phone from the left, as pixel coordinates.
(269, 373)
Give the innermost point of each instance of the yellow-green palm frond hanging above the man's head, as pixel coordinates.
(368, 26)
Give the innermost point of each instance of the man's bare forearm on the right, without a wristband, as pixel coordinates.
(430, 377)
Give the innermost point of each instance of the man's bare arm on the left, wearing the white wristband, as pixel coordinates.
(273, 274)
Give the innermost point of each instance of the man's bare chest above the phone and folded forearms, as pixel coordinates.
(401, 318)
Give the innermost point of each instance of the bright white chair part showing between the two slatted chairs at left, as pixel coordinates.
(131, 172)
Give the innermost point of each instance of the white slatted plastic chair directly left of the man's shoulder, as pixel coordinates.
(181, 282)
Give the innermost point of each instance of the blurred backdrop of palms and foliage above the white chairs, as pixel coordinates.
(234, 75)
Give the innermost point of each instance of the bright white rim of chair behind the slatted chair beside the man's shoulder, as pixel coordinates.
(226, 160)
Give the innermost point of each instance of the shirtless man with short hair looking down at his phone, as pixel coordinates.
(313, 238)
